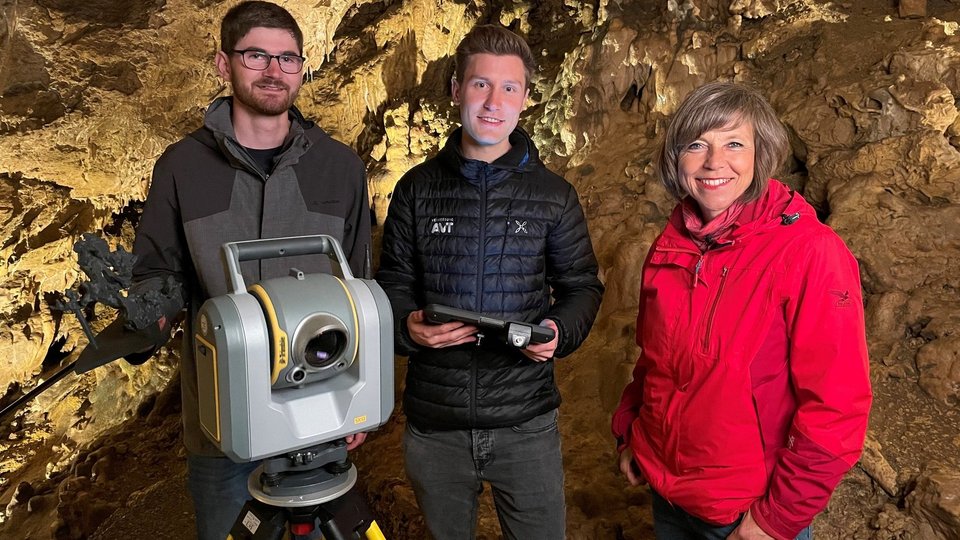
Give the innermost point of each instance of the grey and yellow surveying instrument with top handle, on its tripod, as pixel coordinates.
(286, 369)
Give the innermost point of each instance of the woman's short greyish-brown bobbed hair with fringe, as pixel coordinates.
(713, 106)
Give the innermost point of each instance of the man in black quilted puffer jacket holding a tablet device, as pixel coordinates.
(484, 226)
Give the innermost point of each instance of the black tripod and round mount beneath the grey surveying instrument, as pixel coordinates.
(304, 491)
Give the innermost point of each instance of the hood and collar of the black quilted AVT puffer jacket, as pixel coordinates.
(522, 157)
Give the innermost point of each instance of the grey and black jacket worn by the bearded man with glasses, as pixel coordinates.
(207, 190)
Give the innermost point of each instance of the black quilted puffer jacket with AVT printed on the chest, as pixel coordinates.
(498, 238)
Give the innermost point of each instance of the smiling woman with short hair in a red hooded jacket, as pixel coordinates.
(750, 398)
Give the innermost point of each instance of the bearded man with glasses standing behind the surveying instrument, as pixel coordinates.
(256, 169)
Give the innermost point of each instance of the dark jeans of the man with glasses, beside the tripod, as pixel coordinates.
(218, 487)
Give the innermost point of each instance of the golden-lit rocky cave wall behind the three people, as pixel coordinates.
(91, 92)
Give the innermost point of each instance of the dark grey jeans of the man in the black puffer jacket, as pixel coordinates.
(522, 463)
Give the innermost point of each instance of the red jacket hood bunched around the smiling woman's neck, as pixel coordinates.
(777, 206)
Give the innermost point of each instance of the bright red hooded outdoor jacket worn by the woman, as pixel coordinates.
(752, 389)
